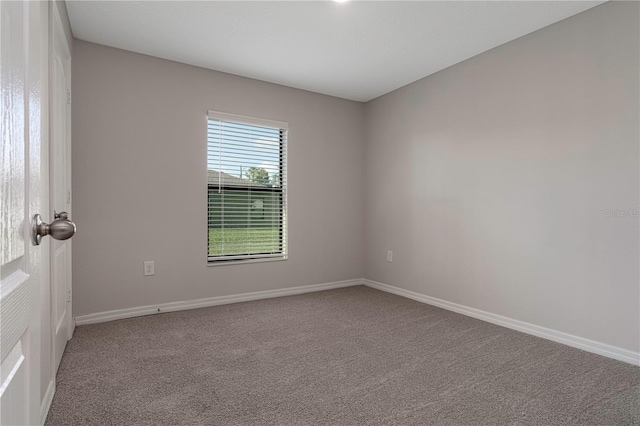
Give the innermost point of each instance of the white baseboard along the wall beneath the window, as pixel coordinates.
(210, 301)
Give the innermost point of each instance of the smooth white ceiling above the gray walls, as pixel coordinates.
(355, 50)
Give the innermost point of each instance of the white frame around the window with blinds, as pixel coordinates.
(284, 255)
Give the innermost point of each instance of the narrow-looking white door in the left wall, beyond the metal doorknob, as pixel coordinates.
(60, 175)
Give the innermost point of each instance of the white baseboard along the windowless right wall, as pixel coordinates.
(546, 333)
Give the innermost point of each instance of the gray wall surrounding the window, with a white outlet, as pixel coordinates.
(140, 181)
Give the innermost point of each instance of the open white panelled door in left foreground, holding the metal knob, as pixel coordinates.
(21, 188)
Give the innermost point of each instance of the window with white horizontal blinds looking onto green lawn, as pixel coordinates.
(247, 189)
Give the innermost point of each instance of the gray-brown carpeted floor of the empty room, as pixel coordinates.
(349, 356)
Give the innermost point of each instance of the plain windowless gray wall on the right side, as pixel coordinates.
(490, 180)
